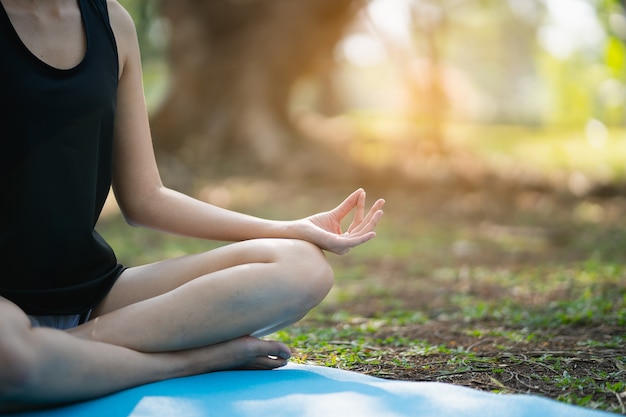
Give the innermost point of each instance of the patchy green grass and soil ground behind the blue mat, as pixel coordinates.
(521, 293)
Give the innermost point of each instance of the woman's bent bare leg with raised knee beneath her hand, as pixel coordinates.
(247, 288)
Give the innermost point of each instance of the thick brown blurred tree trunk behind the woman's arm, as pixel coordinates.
(232, 67)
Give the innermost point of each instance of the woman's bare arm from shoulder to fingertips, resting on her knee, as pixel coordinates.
(145, 201)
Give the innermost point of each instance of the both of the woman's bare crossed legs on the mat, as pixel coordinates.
(180, 317)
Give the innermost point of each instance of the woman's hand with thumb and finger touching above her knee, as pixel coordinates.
(324, 229)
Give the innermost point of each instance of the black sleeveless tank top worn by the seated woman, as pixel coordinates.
(56, 134)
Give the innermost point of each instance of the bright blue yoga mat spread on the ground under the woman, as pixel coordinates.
(311, 391)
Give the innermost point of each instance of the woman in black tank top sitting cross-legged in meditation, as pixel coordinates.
(75, 324)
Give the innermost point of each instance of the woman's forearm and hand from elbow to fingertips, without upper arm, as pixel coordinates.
(168, 210)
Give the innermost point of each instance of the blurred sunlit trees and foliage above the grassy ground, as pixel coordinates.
(459, 93)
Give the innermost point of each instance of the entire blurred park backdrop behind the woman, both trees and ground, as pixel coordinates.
(495, 130)
